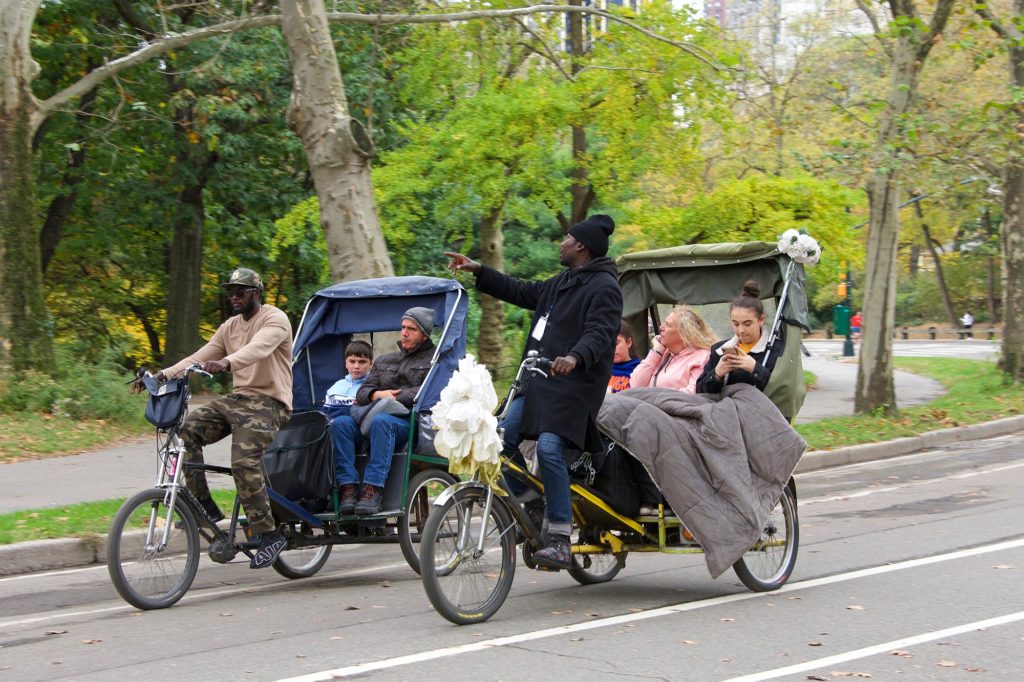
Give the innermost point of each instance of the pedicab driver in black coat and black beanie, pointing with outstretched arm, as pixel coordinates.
(576, 319)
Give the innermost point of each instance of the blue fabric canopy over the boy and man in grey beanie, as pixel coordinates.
(335, 314)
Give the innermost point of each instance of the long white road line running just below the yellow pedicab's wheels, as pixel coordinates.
(398, 662)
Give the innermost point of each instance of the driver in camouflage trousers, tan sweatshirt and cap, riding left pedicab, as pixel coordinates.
(255, 346)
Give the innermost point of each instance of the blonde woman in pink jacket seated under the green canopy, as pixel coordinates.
(679, 353)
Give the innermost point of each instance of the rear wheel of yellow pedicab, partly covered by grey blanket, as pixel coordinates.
(769, 565)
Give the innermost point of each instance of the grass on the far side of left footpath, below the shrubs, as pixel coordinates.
(30, 437)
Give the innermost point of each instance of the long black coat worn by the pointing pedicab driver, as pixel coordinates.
(584, 310)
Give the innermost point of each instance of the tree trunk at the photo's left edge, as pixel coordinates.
(25, 328)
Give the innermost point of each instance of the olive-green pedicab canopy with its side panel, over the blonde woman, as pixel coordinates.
(709, 274)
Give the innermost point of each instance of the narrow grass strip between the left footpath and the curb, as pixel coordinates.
(82, 521)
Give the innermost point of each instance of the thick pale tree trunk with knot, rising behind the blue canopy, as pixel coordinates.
(337, 146)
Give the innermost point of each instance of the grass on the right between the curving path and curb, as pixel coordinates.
(976, 394)
